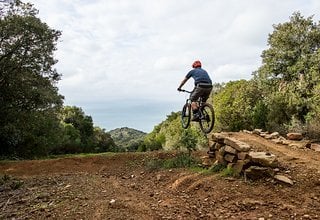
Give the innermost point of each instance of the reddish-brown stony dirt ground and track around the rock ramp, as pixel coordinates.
(121, 186)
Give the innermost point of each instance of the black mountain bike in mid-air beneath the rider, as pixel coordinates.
(206, 112)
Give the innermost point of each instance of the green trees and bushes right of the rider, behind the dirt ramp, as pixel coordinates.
(284, 92)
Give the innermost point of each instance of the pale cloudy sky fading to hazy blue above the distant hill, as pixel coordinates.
(122, 60)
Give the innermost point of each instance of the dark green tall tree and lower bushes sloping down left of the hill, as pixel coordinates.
(33, 121)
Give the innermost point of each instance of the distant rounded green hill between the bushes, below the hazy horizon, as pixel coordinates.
(127, 138)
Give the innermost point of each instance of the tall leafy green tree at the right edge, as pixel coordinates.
(290, 68)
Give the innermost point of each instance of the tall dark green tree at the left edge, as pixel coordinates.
(28, 94)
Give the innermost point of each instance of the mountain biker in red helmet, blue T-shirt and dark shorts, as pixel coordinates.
(202, 87)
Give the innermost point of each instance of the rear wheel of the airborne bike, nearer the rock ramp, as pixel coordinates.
(206, 118)
